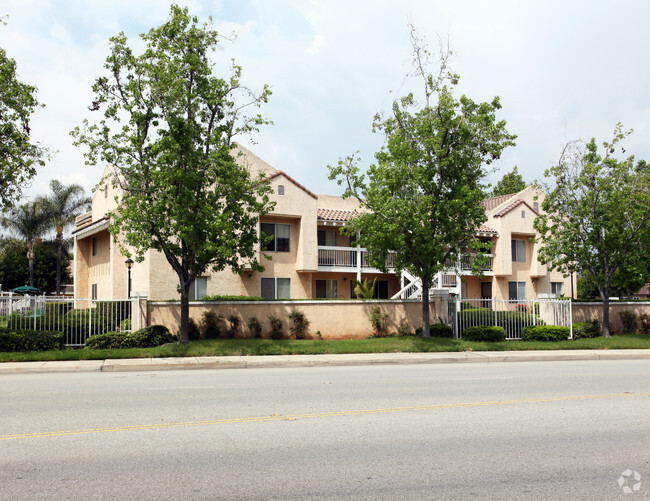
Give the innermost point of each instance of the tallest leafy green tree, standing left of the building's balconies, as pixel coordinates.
(168, 130)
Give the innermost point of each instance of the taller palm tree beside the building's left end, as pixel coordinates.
(62, 206)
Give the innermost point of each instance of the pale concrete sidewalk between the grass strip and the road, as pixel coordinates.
(275, 361)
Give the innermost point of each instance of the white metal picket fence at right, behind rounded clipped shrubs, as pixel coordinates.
(512, 315)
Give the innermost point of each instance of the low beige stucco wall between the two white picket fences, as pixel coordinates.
(334, 319)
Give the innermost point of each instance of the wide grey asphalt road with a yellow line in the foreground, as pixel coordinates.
(534, 430)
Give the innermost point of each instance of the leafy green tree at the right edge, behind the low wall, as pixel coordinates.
(596, 217)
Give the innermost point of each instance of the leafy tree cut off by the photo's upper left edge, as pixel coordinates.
(19, 156)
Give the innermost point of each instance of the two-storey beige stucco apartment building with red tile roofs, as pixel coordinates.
(310, 258)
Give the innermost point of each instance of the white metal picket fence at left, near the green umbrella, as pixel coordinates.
(78, 319)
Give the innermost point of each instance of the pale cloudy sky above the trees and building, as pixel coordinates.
(563, 70)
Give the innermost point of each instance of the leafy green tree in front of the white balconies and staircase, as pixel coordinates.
(426, 187)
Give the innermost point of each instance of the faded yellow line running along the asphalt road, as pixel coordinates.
(293, 417)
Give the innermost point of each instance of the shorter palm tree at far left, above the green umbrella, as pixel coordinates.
(28, 222)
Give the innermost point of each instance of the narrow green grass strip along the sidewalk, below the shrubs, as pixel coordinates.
(411, 344)
